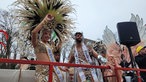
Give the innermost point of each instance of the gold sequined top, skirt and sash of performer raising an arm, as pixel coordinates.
(42, 71)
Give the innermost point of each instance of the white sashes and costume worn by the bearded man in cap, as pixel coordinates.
(85, 74)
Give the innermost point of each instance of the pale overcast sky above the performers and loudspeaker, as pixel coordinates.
(92, 16)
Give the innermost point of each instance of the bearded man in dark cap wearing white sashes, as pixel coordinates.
(80, 55)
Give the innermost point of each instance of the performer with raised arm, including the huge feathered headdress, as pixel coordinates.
(40, 19)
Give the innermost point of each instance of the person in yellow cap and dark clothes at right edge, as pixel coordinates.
(140, 60)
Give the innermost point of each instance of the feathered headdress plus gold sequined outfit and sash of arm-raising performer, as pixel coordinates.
(31, 12)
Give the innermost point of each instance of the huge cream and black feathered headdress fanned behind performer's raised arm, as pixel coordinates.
(32, 12)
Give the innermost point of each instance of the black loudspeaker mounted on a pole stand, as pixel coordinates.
(128, 33)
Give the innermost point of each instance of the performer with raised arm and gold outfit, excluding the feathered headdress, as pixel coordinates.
(43, 50)
